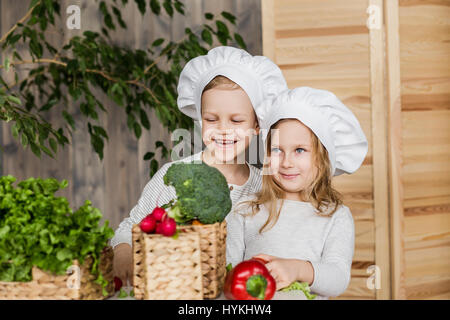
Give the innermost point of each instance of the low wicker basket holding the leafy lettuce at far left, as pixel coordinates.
(46, 286)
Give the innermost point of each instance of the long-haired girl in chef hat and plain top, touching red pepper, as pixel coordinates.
(297, 223)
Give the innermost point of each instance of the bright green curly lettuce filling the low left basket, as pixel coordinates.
(39, 229)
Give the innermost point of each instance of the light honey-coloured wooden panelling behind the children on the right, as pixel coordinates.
(396, 79)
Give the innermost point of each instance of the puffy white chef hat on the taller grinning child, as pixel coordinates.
(257, 75)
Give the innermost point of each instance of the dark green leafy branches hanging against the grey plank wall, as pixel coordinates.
(92, 63)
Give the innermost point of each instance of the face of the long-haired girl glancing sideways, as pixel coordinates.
(291, 161)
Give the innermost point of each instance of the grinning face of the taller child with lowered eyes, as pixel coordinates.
(228, 123)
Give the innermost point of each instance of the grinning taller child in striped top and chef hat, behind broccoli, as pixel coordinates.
(221, 90)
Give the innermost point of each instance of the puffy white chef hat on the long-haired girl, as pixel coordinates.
(330, 120)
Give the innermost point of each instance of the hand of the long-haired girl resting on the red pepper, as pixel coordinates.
(284, 271)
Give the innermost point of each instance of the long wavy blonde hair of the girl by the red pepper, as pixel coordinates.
(320, 193)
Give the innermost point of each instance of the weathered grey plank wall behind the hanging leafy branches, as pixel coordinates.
(113, 185)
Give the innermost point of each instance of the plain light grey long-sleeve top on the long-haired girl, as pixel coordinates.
(299, 233)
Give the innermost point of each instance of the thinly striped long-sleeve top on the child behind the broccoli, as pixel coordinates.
(157, 193)
